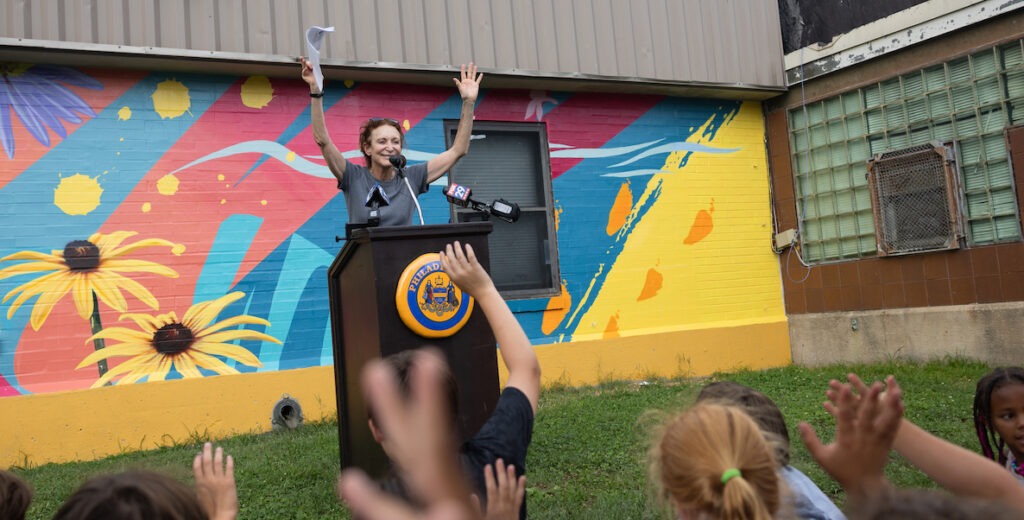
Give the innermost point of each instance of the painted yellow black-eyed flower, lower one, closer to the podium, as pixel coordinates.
(163, 342)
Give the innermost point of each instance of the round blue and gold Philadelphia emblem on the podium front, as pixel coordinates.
(429, 302)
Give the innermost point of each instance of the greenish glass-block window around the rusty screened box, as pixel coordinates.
(968, 103)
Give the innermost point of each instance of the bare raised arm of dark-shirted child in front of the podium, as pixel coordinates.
(525, 370)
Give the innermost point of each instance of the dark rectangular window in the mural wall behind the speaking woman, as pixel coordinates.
(510, 161)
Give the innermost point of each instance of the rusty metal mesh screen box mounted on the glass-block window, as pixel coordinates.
(915, 198)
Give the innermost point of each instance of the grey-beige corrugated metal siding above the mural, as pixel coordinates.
(736, 42)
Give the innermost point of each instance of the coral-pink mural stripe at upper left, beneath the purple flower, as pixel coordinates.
(29, 150)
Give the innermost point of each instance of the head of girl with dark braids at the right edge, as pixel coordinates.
(999, 418)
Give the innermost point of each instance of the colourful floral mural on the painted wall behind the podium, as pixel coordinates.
(161, 228)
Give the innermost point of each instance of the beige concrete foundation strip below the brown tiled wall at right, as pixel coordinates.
(990, 333)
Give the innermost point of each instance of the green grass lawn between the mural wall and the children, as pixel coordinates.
(587, 457)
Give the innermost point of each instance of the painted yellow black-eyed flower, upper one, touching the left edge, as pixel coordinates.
(89, 270)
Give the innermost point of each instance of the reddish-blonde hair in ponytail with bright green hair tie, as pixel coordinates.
(713, 459)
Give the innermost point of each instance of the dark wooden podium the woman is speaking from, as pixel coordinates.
(366, 325)
